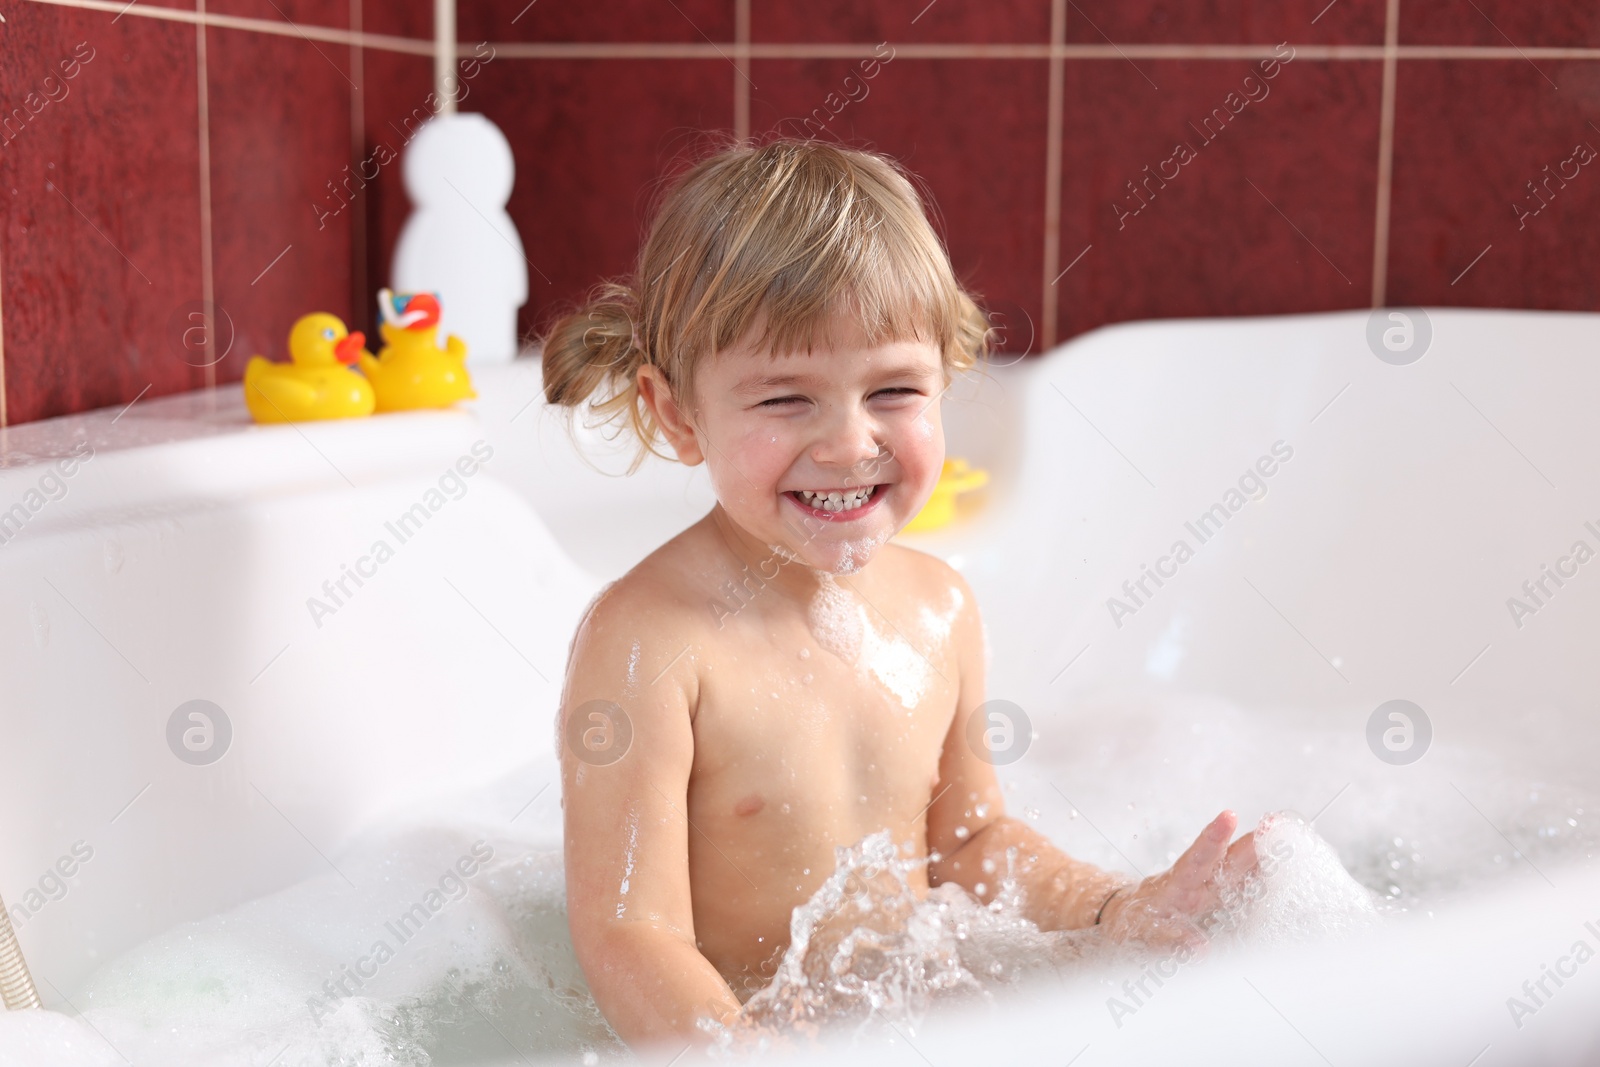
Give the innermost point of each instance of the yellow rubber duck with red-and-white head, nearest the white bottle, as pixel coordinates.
(412, 370)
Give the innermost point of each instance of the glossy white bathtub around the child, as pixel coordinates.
(178, 562)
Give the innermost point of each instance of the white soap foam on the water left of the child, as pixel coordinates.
(292, 978)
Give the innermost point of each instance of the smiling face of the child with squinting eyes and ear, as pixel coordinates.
(826, 454)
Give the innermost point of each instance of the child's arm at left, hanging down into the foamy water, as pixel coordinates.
(626, 833)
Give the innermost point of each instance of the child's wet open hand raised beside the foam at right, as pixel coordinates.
(1169, 909)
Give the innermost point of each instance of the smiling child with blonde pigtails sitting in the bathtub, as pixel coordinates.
(780, 679)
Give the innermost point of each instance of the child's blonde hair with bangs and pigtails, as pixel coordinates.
(798, 230)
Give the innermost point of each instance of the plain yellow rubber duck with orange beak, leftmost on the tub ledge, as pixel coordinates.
(318, 383)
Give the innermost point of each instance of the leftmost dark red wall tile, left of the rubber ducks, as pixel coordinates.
(102, 231)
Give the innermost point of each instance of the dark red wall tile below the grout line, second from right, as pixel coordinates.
(1271, 214)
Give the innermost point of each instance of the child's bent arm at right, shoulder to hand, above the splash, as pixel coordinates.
(972, 834)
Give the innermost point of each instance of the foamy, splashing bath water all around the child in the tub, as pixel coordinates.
(442, 940)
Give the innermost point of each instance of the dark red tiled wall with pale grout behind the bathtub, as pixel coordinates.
(135, 194)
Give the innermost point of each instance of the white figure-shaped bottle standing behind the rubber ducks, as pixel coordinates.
(460, 242)
